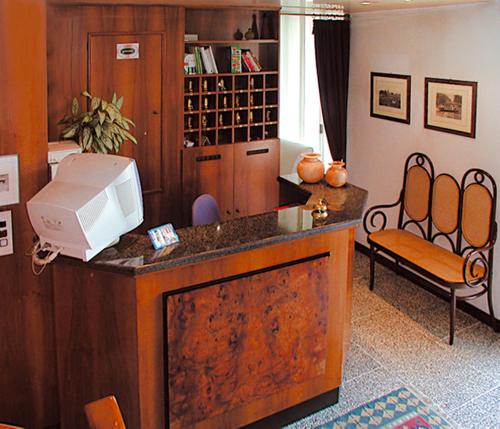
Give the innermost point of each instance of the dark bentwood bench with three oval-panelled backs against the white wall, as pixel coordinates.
(436, 212)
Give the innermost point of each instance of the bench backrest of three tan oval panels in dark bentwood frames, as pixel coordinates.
(441, 208)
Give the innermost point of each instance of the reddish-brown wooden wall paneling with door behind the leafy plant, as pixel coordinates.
(81, 24)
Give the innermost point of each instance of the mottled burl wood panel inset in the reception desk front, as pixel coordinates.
(235, 342)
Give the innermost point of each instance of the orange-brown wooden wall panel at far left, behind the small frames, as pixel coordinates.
(28, 382)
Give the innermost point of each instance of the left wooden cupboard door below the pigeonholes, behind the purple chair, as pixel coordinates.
(208, 170)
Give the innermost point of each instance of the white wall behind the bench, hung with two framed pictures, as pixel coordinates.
(461, 42)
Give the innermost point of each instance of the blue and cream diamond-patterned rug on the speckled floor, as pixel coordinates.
(399, 409)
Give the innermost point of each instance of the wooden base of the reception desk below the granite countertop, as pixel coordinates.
(111, 337)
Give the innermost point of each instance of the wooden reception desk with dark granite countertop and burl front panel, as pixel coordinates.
(241, 323)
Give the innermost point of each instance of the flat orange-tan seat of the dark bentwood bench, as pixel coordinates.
(432, 258)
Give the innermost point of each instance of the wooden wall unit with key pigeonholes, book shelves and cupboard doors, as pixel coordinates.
(230, 120)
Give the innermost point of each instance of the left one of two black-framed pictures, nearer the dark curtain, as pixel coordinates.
(390, 97)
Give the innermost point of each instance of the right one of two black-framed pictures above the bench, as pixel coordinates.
(450, 106)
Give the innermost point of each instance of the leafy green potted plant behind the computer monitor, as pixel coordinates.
(103, 129)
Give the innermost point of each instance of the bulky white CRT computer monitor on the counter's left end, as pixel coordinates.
(91, 202)
